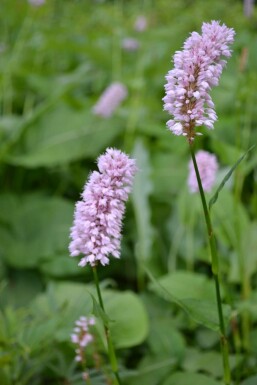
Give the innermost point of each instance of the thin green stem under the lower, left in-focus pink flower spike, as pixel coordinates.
(111, 350)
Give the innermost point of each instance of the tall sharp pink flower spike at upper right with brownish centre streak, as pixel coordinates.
(196, 70)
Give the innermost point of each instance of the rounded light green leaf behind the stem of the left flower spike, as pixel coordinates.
(128, 318)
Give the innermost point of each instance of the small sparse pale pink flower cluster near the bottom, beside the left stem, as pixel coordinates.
(81, 336)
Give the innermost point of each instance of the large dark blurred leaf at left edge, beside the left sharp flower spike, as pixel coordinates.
(33, 227)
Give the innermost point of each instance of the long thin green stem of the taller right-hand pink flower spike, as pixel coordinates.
(215, 272)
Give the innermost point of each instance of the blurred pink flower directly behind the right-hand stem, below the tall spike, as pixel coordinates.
(208, 166)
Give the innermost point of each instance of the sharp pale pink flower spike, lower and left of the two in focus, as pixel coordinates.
(96, 231)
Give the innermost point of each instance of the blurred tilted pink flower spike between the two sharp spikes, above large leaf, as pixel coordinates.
(110, 99)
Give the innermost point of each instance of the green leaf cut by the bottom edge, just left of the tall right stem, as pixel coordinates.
(180, 378)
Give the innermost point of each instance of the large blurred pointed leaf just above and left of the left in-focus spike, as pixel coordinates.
(62, 135)
